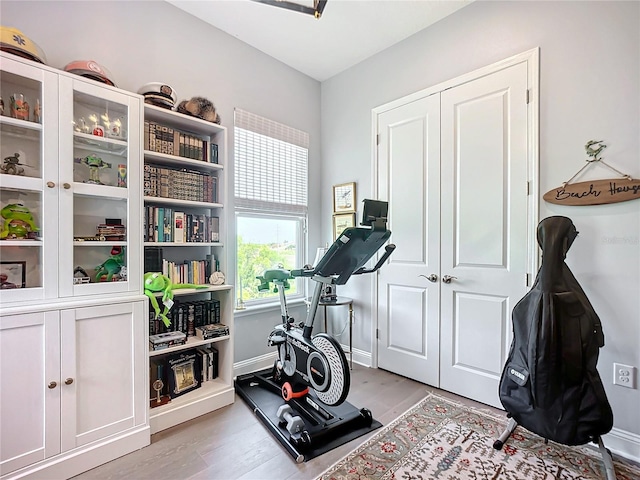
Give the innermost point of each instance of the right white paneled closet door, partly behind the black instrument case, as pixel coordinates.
(484, 227)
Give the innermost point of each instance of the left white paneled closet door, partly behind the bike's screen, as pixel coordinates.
(408, 303)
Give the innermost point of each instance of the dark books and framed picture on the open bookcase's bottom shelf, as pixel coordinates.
(173, 375)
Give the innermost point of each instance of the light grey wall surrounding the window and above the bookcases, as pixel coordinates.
(145, 41)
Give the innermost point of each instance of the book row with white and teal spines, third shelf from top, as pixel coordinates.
(165, 224)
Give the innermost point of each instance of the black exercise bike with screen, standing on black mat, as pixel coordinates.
(311, 372)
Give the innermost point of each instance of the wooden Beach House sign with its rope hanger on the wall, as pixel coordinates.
(595, 192)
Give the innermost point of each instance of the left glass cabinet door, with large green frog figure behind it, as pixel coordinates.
(28, 174)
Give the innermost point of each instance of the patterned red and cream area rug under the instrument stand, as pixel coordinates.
(442, 439)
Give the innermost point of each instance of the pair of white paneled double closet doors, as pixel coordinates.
(453, 167)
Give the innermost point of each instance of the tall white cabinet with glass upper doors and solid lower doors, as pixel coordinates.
(73, 351)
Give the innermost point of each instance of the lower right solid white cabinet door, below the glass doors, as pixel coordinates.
(95, 406)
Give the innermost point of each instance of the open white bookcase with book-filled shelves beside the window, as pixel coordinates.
(219, 392)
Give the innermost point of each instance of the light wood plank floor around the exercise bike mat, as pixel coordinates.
(232, 443)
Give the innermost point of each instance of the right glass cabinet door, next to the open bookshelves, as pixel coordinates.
(99, 204)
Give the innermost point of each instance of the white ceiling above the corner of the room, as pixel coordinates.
(348, 32)
